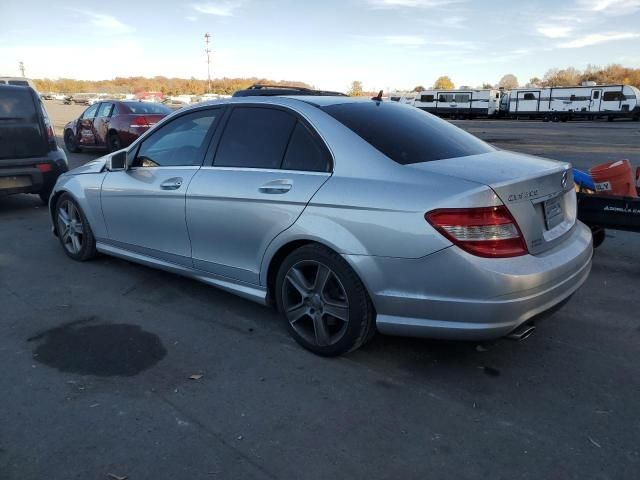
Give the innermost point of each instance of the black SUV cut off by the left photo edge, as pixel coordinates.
(30, 160)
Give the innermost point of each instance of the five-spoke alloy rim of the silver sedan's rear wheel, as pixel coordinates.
(315, 303)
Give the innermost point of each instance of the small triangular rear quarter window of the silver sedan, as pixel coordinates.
(305, 152)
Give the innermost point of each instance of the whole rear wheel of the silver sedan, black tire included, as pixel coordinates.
(340, 336)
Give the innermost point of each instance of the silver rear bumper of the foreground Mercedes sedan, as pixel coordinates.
(452, 294)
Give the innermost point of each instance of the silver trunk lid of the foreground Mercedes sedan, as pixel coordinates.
(538, 192)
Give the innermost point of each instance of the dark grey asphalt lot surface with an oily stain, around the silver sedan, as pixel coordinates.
(111, 368)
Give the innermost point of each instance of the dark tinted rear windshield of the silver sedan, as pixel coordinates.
(406, 134)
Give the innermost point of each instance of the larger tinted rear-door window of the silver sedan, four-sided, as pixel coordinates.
(255, 138)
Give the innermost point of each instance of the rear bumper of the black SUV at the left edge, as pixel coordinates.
(23, 175)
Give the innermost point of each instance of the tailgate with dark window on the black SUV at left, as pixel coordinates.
(21, 131)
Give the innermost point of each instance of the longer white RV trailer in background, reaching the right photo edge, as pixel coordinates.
(566, 103)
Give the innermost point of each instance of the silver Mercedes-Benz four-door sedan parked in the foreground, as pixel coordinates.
(350, 216)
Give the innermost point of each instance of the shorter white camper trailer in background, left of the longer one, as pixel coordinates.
(462, 103)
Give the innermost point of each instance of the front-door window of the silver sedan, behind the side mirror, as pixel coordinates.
(181, 142)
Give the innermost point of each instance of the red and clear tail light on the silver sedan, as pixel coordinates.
(485, 232)
